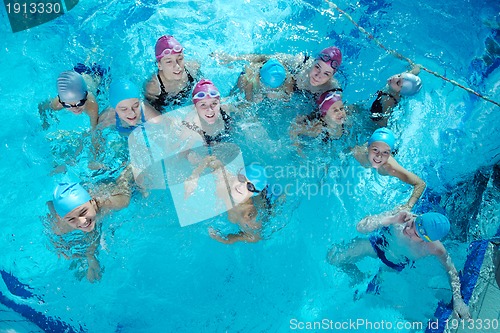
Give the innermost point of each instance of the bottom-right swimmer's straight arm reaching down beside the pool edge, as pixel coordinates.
(459, 306)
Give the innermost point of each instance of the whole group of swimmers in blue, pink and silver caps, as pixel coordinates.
(397, 237)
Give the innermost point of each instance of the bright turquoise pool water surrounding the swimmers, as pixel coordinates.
(161, 277)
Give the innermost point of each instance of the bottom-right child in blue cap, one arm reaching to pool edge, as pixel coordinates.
(401, 239)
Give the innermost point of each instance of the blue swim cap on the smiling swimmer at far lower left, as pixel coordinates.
(68, 196)
